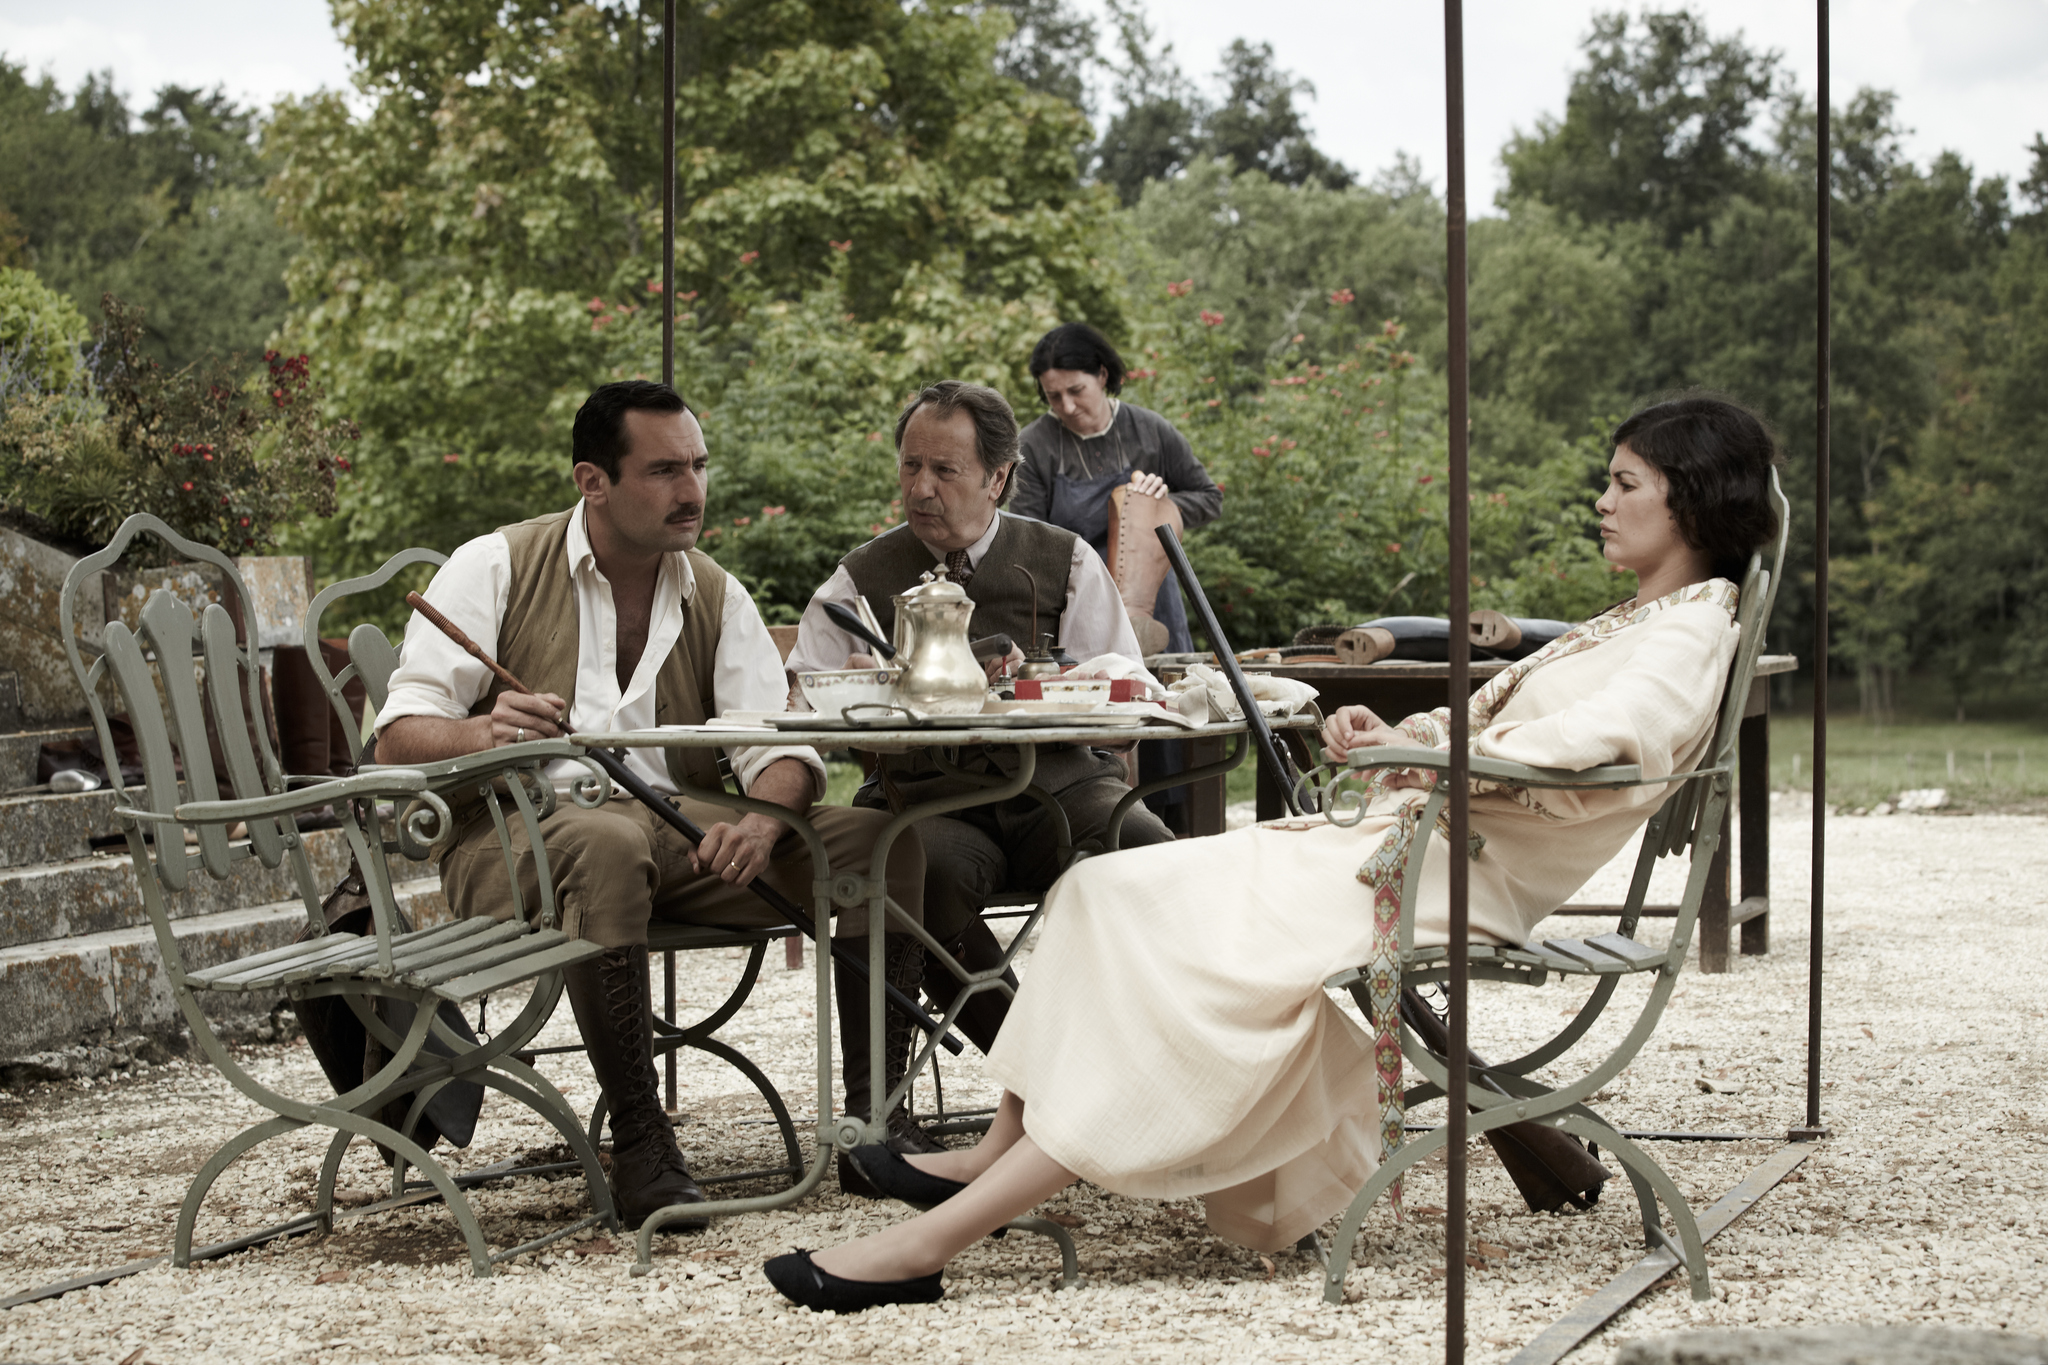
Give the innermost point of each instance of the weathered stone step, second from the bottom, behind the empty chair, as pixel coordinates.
(99, 893)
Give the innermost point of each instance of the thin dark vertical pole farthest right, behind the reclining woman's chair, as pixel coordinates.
(1822, 382)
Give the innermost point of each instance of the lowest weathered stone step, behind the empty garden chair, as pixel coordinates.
(54, 994)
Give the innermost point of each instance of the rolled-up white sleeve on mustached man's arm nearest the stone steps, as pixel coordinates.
(435, 676)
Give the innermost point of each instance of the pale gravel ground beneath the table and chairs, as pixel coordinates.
(1926, 1206)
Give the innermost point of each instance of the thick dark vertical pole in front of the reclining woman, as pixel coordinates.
(1461, 687)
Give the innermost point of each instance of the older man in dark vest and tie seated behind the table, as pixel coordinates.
(957, 453)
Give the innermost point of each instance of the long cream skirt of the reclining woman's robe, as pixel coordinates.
(1175, 1037)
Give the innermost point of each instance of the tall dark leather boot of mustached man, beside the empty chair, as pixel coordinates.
(613, 1010)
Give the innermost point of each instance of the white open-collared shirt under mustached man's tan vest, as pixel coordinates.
(437, 678)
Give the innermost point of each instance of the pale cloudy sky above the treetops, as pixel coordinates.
(1971, 75)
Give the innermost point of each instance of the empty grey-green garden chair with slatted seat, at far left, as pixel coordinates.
(175, 674)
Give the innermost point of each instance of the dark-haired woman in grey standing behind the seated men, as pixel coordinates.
(1084, 447)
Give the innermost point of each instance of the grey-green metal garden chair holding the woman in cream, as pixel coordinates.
(1691, 822)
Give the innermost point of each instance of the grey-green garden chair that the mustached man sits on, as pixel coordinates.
(374, 660)
